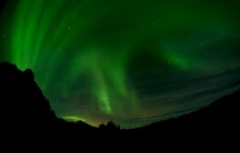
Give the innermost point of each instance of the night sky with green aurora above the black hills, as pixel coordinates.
(131, 61)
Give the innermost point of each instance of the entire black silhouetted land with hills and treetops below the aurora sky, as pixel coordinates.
(25, 114)
